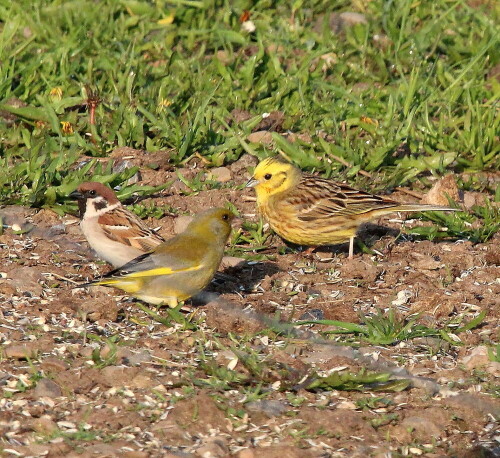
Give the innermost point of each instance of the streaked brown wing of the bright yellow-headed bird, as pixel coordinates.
(317, 198)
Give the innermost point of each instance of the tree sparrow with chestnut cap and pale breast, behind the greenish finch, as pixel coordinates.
(113, 232)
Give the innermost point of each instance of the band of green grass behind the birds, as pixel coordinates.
(167, 75)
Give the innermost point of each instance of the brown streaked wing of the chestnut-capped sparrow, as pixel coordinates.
(124, 227)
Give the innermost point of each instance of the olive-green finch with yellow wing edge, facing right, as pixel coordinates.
(180, 267)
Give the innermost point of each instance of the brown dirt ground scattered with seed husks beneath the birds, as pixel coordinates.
(87, 373)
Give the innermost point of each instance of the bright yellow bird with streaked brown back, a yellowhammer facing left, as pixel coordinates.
(308, 210)
